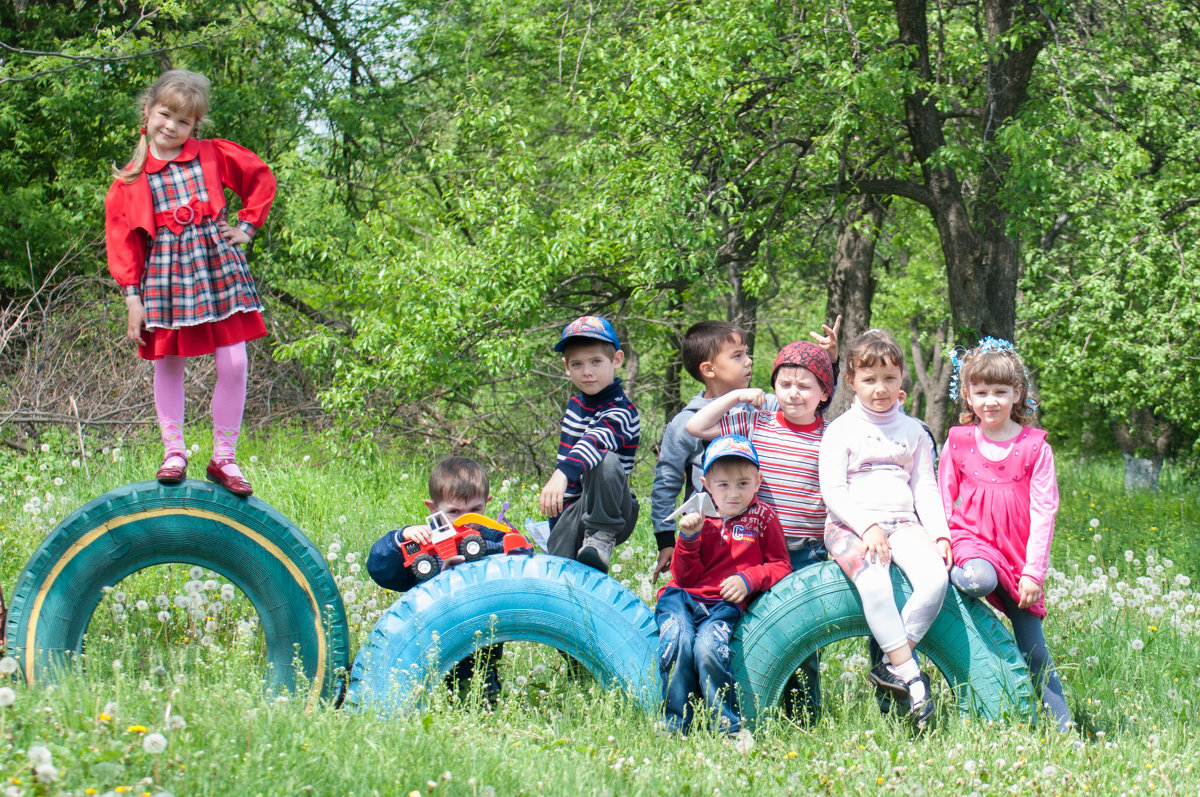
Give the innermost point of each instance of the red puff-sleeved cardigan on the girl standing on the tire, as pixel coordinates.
(129, 207)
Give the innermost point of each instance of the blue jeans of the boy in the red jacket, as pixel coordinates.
(694, 657)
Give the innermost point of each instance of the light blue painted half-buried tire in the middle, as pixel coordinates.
(545, 600)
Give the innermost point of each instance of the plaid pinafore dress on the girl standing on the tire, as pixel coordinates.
(195, 277)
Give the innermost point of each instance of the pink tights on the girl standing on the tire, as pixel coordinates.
(229, 403)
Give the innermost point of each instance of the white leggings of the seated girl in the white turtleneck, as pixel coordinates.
(916, 555)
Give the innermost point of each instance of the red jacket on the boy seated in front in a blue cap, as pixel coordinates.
(751, 546)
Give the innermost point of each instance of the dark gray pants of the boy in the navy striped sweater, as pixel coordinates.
(607, 507)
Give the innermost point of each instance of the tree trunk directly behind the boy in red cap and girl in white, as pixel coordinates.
(851, 286)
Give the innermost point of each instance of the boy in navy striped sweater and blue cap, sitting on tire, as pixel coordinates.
(587, 499)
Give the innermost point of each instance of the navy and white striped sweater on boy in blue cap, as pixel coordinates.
(593, 427)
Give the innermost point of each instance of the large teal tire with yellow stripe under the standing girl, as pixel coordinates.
(195, 523)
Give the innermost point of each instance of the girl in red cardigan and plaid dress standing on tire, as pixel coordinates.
(182, 265)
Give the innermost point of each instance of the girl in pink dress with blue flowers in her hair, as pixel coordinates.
(999, 488)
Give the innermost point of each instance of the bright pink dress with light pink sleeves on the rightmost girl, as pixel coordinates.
(1001, 511)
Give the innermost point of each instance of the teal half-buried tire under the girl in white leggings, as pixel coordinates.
(819, 606)
